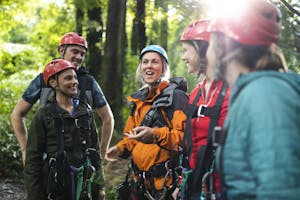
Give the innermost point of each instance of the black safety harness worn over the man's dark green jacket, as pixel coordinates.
(81, 171)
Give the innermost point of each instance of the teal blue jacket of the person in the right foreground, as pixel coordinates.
(261, 155)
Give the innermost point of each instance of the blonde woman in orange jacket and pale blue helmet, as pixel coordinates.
(155, 128)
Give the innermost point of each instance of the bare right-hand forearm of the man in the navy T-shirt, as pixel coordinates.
(108, 122)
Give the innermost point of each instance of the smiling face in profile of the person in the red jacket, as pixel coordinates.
(191, 58)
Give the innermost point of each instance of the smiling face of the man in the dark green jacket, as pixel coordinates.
(67, 83)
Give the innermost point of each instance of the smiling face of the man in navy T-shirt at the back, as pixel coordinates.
(73, 53)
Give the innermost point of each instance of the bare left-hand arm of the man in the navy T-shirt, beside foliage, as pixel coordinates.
(17, 120)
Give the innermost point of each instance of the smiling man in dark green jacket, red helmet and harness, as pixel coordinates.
(61, 141)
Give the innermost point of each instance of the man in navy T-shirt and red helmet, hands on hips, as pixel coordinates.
(72, 47)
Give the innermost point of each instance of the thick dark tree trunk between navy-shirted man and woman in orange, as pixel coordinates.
(114, 59)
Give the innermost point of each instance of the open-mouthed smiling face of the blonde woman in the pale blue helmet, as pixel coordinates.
(151, 67)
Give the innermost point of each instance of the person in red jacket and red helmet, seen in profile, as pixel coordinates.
(209, 103)
